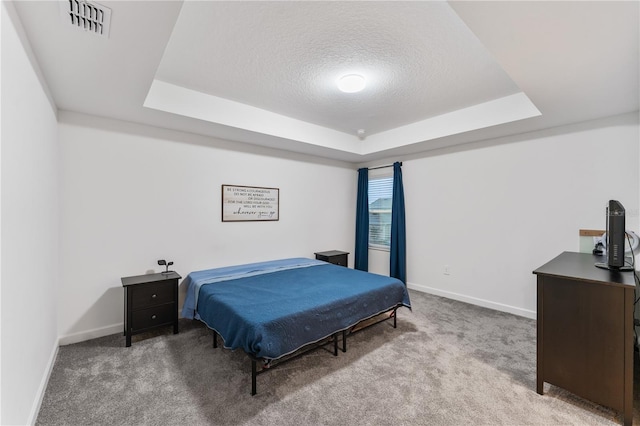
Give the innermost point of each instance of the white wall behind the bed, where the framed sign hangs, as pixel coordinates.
(132, 194)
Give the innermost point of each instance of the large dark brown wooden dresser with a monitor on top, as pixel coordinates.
(585, 330)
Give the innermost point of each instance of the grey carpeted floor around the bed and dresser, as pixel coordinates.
(447, 363)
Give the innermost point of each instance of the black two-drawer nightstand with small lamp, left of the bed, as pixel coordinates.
(150, 301)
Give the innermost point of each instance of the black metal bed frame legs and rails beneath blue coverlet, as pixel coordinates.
(268, 364)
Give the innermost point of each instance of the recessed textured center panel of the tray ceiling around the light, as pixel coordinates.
(420, 60)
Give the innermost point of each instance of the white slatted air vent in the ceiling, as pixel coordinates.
(87, 16)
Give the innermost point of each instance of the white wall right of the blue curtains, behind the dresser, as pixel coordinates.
(496, 212)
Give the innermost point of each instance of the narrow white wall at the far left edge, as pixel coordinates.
(29, 227)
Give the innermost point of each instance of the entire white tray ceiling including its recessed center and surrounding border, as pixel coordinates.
(263, 73)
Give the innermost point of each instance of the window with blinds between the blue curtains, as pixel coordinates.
(380, 198)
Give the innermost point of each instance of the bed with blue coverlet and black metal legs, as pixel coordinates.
(274, 309)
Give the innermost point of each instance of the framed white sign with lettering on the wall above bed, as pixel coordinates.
(250, 203)
